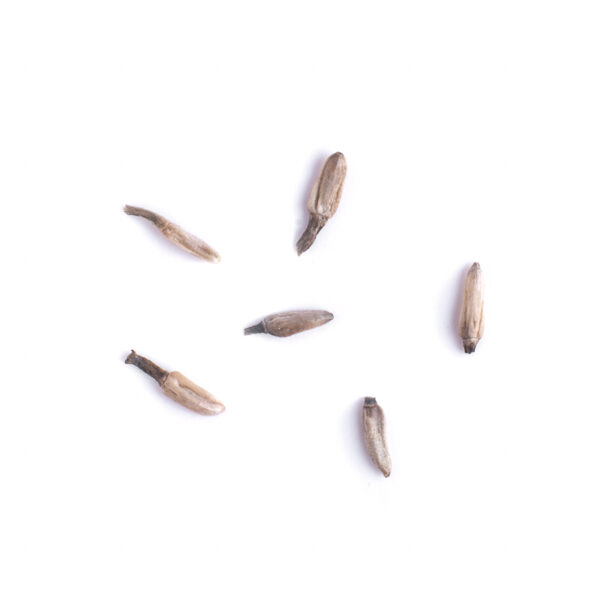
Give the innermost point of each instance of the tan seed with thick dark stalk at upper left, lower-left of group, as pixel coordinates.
(177, 387)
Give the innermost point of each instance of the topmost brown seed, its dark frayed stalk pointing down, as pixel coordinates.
(324, 199)
